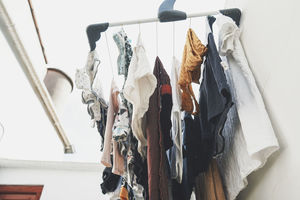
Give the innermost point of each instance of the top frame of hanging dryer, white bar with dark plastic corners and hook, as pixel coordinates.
(166, 14)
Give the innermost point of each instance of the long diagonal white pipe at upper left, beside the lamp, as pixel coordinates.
(8, 29)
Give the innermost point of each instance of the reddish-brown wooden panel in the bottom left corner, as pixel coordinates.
(20, 192)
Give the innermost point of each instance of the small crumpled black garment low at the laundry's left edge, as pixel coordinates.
(110, 181)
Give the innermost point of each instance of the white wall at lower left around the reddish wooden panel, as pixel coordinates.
(61, 181)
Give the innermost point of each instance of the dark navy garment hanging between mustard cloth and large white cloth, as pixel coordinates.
(215, 102)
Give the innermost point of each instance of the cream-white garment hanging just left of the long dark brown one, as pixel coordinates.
(139, 86)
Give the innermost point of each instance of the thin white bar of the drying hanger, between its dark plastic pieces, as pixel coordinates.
(149, 20)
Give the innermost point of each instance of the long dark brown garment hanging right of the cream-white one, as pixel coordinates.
(156, 156)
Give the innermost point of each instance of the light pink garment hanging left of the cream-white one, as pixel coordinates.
(109, 144)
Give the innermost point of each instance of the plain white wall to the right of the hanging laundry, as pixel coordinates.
(271, 41)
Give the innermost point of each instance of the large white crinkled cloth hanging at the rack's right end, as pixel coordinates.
(248, 129)
